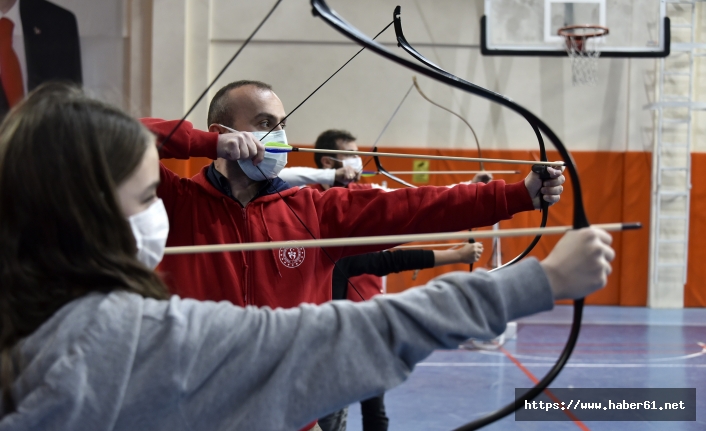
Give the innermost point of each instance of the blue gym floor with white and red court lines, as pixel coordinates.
(618, 347)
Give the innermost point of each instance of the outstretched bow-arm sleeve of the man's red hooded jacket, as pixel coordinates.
(352, 213)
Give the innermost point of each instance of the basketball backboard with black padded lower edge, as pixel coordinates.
(638, 28)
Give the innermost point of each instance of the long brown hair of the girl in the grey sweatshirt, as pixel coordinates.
(62, 232)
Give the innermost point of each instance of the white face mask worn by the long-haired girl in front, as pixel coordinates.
(150, 228)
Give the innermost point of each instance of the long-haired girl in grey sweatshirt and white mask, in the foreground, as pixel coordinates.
(90, 338)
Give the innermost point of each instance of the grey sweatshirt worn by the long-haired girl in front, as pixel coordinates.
(122, 362)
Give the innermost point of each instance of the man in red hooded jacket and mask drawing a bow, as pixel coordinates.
(227, 203)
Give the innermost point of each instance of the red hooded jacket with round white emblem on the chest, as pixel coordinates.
(201, 214)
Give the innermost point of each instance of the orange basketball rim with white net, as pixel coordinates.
(582, 48)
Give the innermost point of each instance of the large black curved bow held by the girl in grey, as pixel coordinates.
(580, 220)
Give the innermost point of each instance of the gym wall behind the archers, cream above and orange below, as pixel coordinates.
(174, 54)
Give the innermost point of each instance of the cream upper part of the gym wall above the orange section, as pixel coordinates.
(295, 52)
